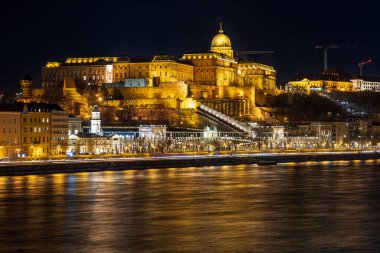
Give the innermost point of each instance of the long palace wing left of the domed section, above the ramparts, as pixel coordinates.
(103, 70)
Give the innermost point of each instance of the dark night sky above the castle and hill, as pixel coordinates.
(33, 33)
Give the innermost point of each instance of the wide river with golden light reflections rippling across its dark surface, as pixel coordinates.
(305, 207)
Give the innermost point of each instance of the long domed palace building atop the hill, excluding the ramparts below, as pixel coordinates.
(215, 67)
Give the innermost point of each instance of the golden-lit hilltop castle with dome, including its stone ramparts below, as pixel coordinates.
(157, 88)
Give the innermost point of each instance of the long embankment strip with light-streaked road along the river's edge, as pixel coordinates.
(160, 161)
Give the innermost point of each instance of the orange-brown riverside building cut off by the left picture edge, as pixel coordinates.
(9, 130)
